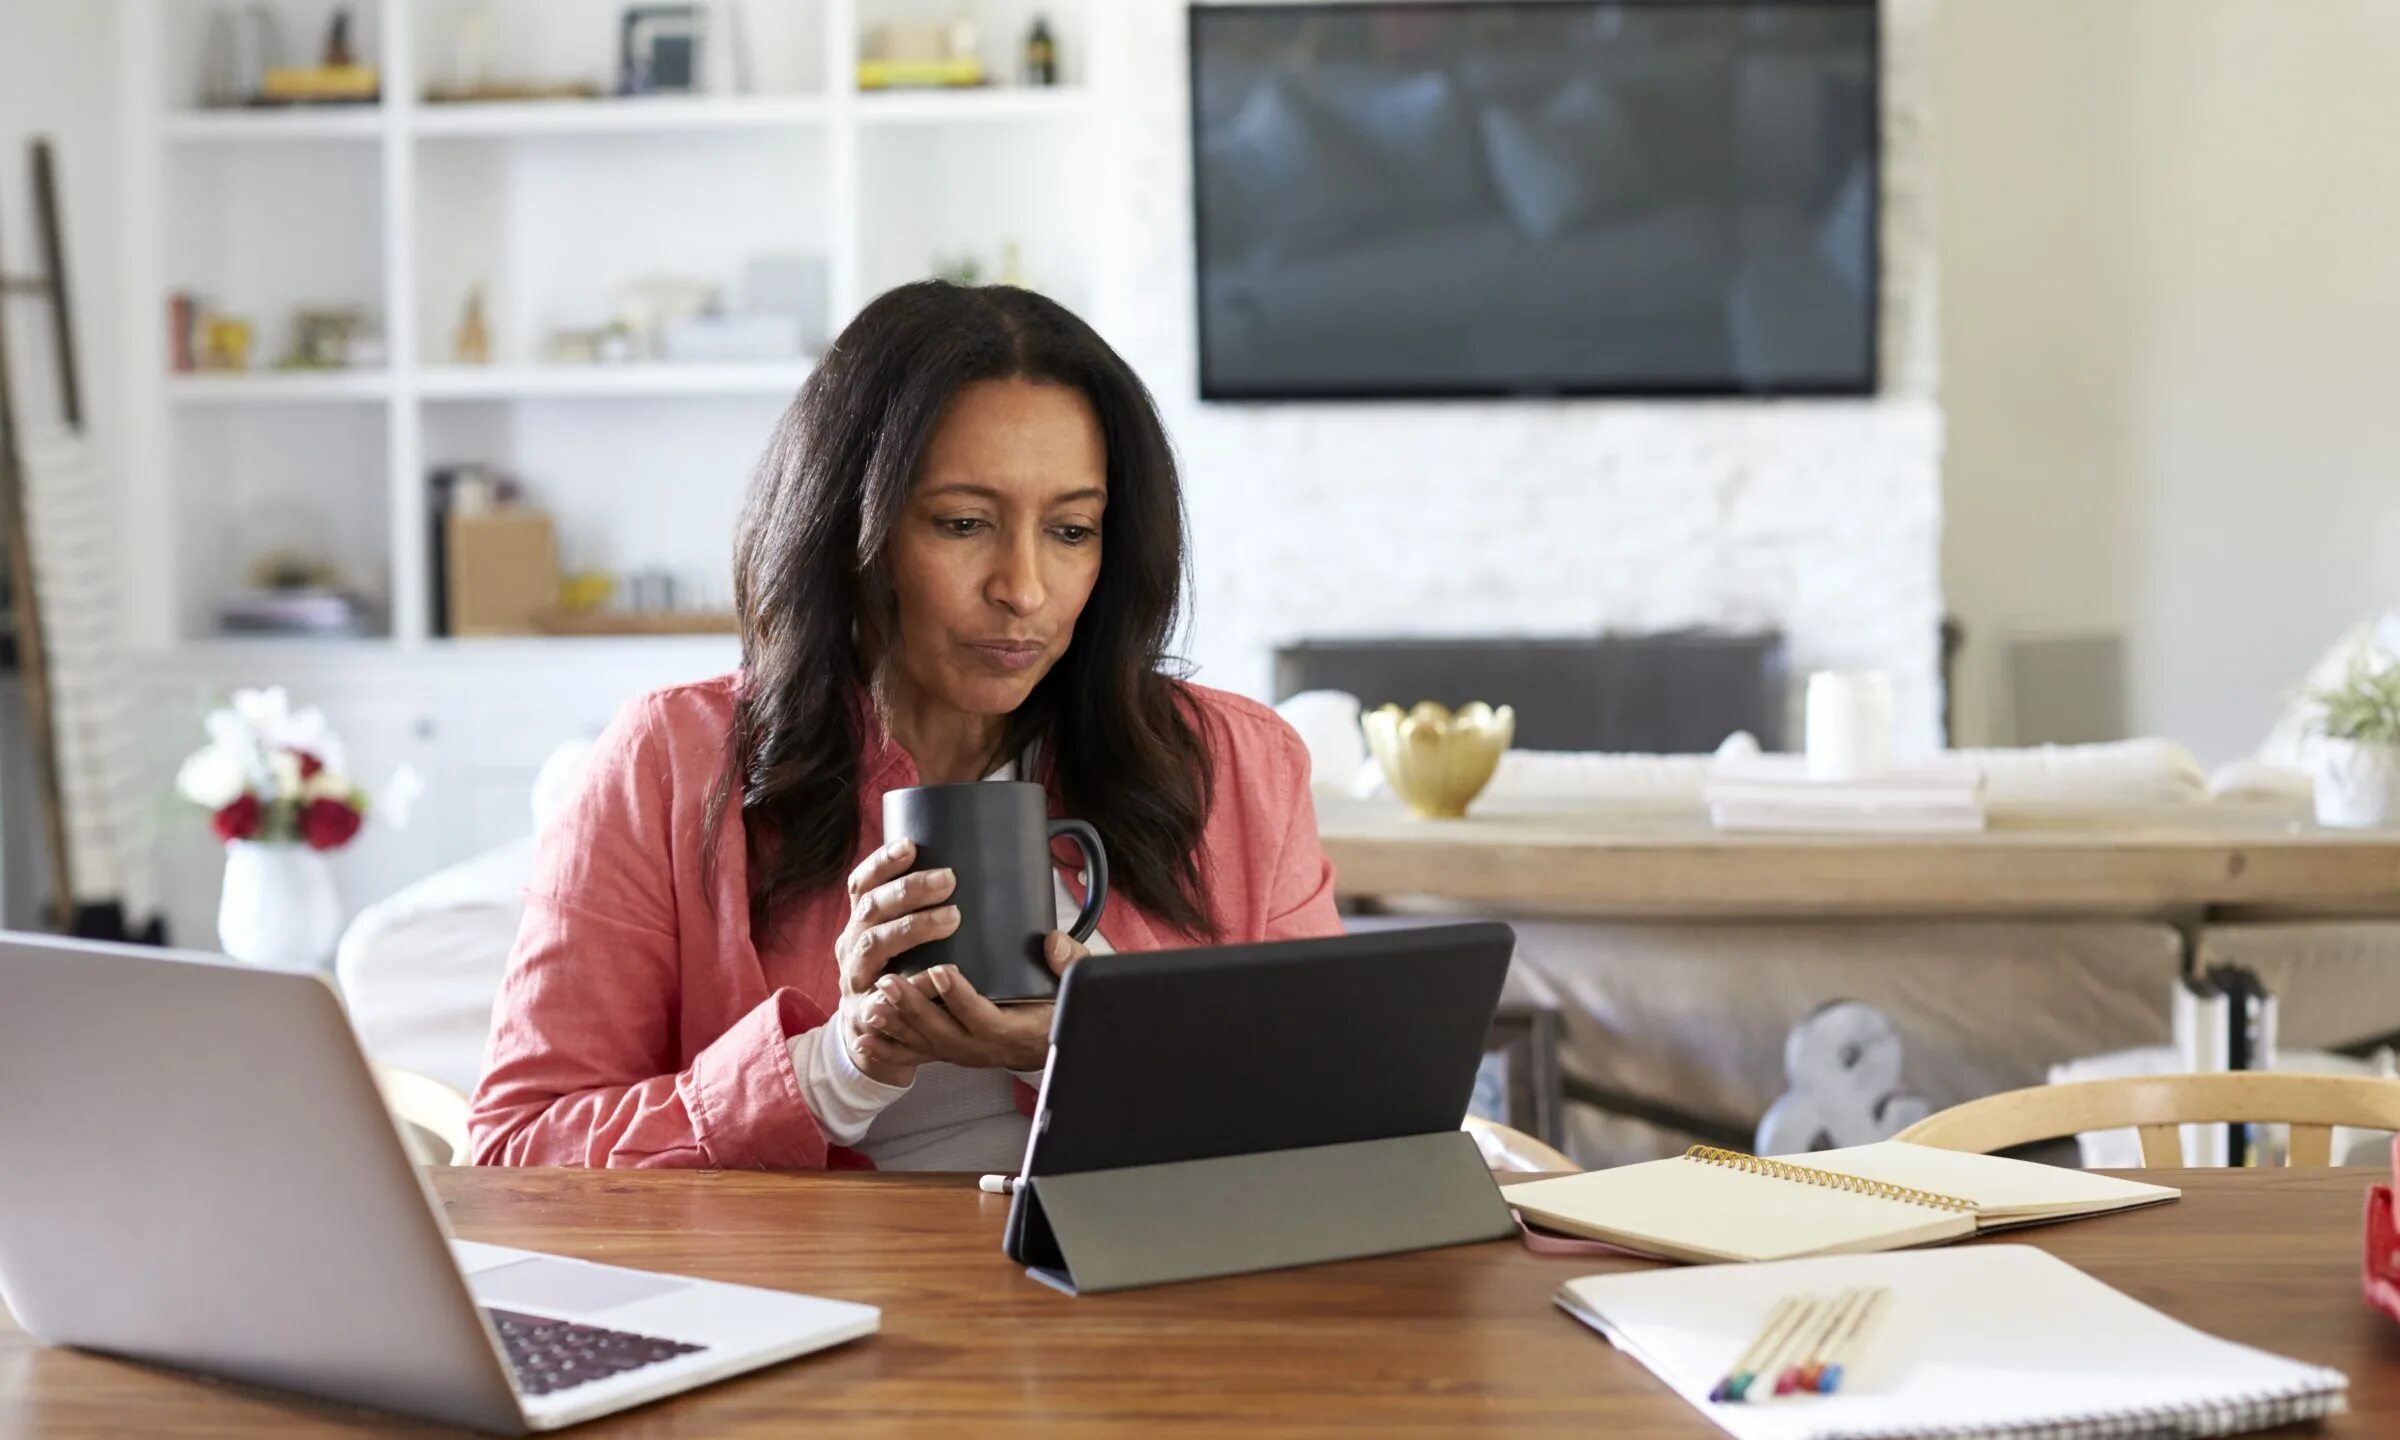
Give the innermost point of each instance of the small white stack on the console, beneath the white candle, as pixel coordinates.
(1777, 793)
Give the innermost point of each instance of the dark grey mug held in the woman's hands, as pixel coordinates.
(997, 839)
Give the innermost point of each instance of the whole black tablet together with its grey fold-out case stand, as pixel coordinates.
(1252, 1108)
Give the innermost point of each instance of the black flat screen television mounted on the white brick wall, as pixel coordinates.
(1537, 198)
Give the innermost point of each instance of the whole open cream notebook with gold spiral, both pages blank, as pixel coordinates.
(1712, 1206)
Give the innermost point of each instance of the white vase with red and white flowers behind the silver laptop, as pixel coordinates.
(280, 798)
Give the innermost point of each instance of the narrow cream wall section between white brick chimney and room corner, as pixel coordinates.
(2034, 311)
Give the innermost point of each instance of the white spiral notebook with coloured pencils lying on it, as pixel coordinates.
(1979, 1343)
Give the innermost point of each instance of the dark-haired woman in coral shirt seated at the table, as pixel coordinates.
(961, 560)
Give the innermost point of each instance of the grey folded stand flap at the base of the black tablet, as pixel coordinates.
(1196, 1218)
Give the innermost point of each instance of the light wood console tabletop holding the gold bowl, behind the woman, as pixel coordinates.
(1669, 863)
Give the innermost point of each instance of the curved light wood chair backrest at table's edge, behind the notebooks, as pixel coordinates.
(2156, 1105)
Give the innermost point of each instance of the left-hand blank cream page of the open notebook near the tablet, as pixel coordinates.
(1691, 1211)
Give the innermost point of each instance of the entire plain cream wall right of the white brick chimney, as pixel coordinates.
(2168, 323)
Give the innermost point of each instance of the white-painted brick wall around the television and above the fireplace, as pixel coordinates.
(1544, 517)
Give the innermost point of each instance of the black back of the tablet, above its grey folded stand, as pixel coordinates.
(1196, 1055)
